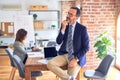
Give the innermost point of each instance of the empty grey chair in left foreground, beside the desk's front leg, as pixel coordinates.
(21, 68)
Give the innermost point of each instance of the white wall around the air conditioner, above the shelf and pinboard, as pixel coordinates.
(9, 14)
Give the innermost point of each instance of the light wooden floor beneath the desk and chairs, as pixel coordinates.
(5, 70)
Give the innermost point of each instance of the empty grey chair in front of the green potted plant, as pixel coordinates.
(102, 70)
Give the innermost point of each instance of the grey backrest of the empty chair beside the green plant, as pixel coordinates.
(105, 64)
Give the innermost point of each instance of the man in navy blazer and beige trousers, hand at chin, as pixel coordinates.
(78, 46)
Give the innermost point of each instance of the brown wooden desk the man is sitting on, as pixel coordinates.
(32, 64)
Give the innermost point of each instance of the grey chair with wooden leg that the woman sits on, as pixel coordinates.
(10, 54)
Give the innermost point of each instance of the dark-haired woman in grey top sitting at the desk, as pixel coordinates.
(19, 47)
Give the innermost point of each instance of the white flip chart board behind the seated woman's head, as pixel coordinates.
(25, 22)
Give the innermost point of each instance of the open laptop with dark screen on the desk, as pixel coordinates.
(50, 52)
